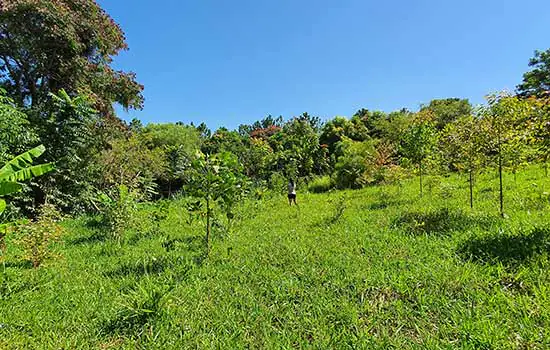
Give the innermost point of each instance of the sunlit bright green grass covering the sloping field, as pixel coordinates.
(375, 268)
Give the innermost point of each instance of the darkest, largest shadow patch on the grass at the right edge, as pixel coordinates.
(511, 250)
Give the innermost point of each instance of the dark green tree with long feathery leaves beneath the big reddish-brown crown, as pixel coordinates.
(72, 134)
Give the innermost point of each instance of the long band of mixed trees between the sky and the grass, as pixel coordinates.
(58, 90)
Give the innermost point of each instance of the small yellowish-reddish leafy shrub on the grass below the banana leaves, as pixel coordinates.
(37, 237)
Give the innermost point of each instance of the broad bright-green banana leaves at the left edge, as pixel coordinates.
(20, 169)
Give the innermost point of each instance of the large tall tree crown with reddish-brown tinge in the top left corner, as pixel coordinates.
(49, 45)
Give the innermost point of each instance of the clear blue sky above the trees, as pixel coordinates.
(231, 62)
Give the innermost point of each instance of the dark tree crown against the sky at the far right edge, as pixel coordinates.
(537, 81)
